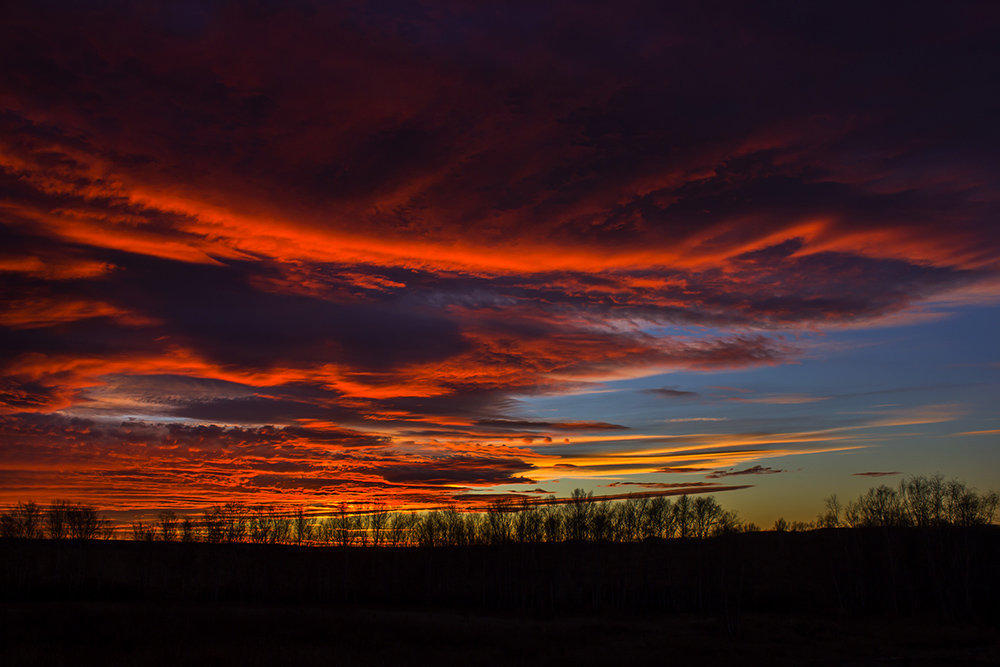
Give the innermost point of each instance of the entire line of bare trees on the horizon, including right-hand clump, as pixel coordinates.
(918, 501)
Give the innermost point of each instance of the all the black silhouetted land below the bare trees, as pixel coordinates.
(832, 597)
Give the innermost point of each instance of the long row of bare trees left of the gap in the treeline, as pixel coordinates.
(503, 521)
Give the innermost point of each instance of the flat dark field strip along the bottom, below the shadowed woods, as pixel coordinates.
(102, 633)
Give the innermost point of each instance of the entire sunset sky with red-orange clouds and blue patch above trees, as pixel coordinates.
(424, 253)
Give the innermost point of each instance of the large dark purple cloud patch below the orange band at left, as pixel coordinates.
(217, 311)
